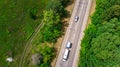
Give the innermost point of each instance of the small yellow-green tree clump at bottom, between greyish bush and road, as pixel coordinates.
(48, 54)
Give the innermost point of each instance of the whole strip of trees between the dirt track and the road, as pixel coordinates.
(51, 30)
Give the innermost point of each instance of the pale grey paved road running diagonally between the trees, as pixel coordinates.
(74, 33)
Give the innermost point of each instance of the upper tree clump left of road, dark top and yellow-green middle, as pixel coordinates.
(52, 28)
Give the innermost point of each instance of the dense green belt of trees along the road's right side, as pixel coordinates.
(101, 43)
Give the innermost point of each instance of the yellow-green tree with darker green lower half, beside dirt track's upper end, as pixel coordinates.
(52, 28)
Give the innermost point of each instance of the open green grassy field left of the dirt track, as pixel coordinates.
(18, 20)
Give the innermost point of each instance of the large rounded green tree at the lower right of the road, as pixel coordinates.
(104, 48)
